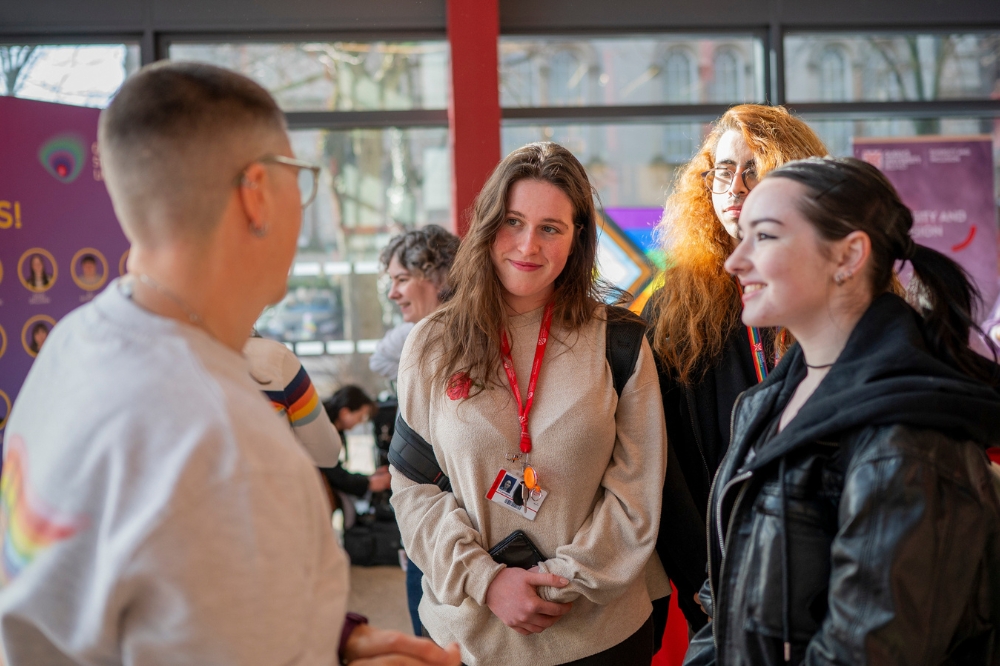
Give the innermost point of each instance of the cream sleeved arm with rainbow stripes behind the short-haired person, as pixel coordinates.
(286, 384)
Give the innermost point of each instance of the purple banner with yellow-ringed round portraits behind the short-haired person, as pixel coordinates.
(60, 242)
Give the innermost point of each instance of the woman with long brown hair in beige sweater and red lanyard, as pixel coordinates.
(511, 386)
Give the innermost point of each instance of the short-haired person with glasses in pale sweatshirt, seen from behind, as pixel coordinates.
(154, 509)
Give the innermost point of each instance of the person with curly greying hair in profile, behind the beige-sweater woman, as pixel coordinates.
(417, 264)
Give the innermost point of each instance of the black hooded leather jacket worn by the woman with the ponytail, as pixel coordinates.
(868, 529)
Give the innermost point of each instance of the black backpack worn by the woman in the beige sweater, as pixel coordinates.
(414, 457)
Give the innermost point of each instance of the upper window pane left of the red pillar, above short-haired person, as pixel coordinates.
(336, 76)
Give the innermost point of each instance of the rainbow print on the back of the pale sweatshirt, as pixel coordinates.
(27, 526)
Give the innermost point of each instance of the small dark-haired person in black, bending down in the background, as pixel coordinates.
(348, 407)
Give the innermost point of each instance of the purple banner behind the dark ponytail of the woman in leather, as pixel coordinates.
(948, 184)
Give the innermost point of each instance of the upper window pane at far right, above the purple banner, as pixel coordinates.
(821, 67)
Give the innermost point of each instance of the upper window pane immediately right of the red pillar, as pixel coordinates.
(649, 69)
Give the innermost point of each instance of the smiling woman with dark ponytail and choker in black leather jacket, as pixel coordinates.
(855, 519)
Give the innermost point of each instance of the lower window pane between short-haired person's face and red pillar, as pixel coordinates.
(375, 183)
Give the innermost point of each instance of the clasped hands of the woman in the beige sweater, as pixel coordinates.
(513, 597)
